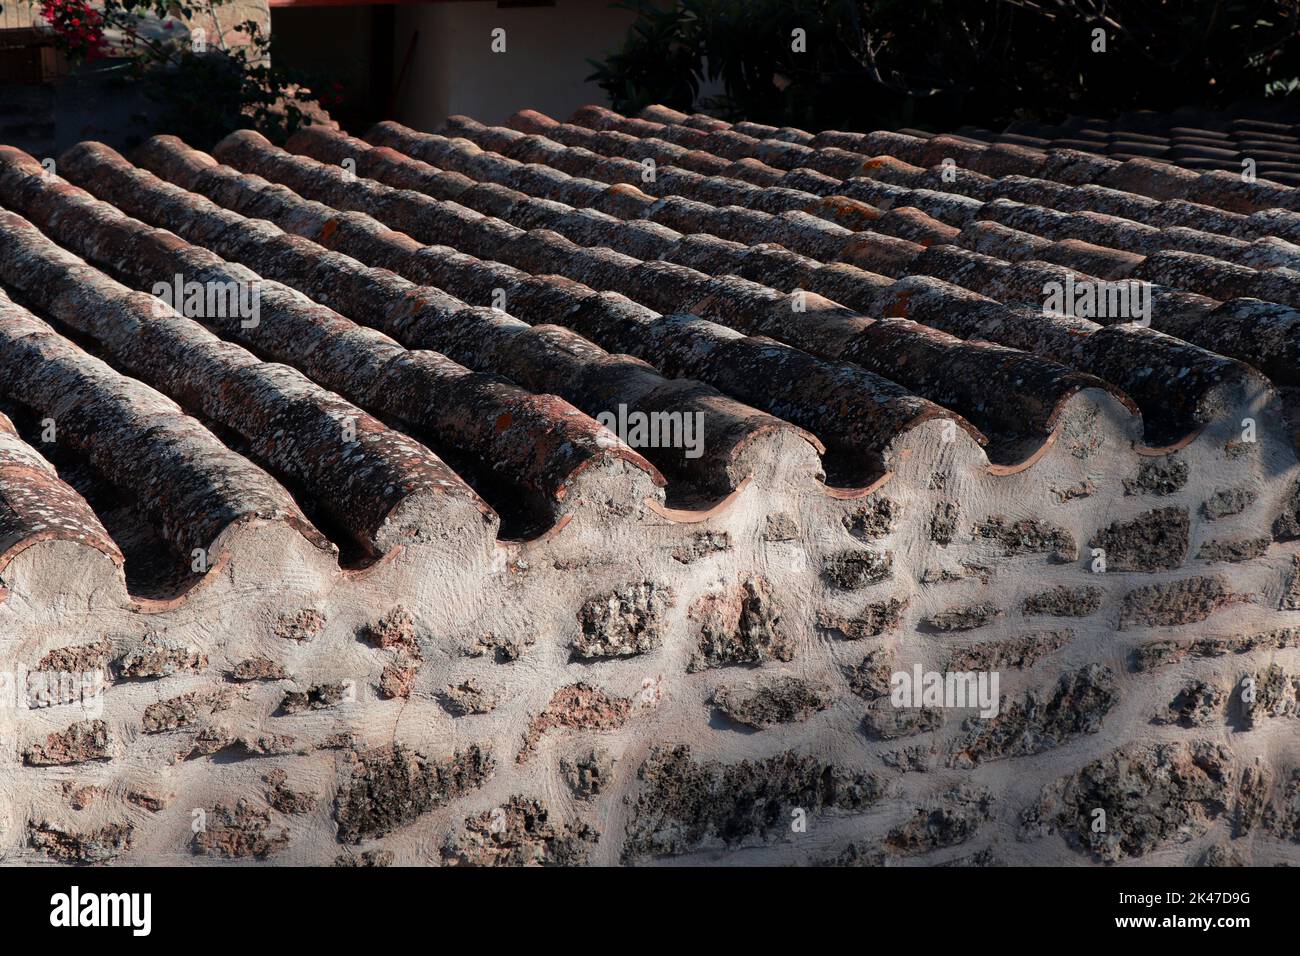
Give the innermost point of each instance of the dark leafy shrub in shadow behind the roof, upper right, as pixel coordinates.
(950, 63)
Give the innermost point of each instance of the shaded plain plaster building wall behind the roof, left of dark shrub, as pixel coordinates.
(545, 64)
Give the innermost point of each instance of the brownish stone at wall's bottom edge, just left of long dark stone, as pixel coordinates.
(521, 833)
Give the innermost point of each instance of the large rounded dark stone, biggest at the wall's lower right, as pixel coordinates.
(1152, 795)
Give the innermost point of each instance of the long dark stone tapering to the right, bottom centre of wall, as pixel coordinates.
(687, 804)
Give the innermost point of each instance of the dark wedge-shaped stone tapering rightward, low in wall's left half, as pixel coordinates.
(389, 788)
